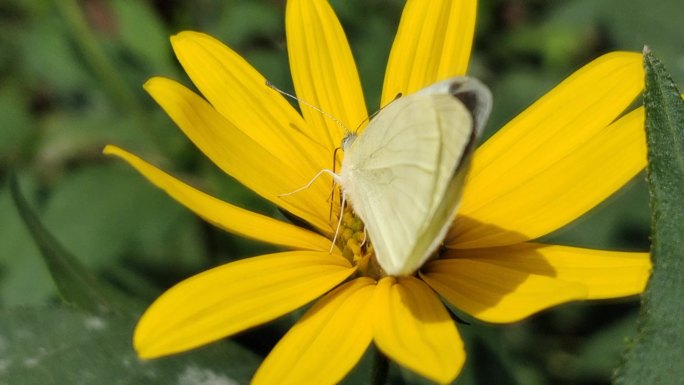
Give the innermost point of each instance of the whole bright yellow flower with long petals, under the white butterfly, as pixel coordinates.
(552, 163)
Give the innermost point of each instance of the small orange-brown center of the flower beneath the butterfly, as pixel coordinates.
(356, 246)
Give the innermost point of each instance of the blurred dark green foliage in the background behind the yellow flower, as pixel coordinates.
(70, 82)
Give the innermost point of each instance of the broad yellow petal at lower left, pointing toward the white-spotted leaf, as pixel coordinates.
(231, 298)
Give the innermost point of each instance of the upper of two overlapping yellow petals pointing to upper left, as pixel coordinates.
(239, 93)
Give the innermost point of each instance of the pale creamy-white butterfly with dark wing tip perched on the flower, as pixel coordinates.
(404, 174)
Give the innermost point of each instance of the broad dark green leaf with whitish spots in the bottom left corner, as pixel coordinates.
(54, 346)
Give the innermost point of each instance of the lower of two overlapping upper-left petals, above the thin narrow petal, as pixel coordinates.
(242, 157)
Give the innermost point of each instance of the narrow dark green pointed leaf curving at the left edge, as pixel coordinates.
(75, 283)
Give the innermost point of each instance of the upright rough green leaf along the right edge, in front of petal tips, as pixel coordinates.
(657, 352)
